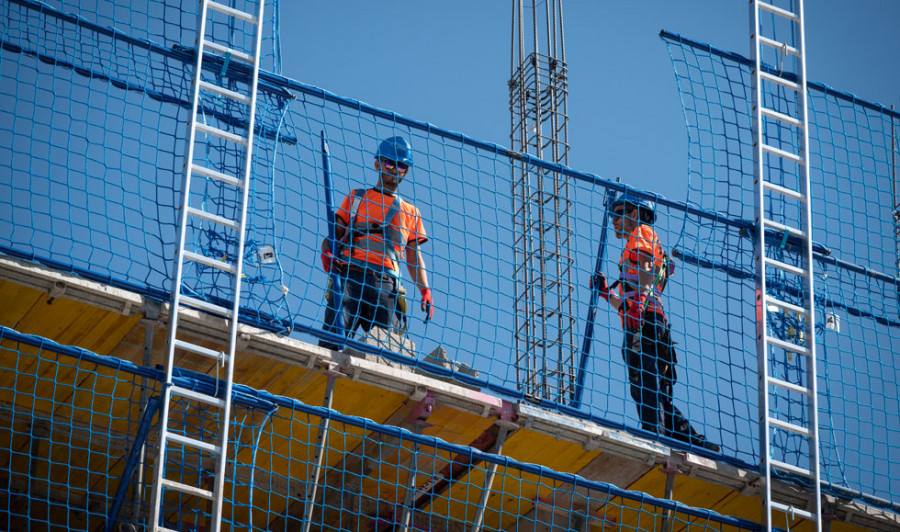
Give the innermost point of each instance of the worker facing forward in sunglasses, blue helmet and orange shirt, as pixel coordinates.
(377, 230)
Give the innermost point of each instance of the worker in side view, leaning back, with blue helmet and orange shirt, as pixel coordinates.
(647, 349)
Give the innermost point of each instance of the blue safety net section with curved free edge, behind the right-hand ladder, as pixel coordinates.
(853, 180)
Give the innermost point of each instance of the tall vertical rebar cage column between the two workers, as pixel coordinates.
(544, 321)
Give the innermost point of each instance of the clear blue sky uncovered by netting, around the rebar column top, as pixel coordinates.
(448, 63)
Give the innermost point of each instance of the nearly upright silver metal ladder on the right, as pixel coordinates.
(799, 201)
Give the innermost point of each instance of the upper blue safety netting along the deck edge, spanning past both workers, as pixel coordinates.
(94, 100)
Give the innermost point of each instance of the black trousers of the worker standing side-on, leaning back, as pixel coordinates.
(651, 361)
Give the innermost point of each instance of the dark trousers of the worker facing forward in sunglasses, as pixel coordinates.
(369, 299)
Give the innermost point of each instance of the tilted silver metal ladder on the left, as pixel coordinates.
(221, 398)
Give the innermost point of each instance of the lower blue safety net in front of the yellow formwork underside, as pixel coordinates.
(74, 424)
